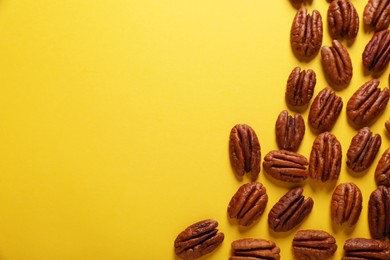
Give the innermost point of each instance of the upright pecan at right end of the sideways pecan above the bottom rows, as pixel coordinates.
(325, 158)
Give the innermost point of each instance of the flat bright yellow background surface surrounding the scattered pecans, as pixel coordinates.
(115, 118)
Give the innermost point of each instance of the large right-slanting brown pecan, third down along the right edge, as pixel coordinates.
(367, 103)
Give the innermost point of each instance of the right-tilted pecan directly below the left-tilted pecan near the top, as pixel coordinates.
(325, 110)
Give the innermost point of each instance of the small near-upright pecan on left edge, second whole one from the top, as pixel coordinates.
(300, 87)
